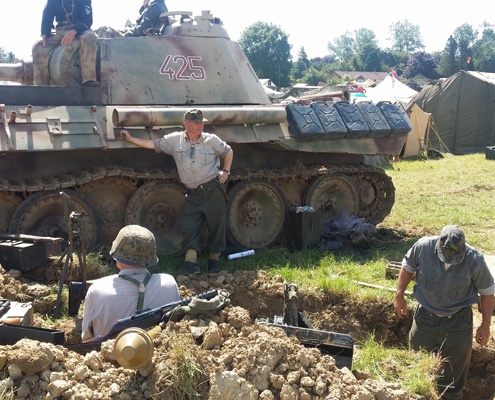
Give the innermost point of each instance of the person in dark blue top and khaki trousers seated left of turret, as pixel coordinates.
(74, 19)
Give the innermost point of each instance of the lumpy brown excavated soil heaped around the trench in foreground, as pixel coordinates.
(238, 357)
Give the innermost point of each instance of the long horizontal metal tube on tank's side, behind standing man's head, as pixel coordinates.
(146, 116)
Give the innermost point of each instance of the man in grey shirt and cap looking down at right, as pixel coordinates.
(451, 276)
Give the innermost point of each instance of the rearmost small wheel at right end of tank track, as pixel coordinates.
(376, 194)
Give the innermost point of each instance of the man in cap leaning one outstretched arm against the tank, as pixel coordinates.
(197, 155)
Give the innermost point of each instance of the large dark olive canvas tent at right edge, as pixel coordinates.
(463, 108)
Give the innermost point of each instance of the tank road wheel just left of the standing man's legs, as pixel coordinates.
(158, 205)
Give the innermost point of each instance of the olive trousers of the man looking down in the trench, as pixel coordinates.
(450, 337)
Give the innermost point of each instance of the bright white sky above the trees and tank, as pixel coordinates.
(312, 27)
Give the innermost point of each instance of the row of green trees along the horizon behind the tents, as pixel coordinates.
(269, 51)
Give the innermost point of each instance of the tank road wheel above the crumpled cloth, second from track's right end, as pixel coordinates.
(332, 196)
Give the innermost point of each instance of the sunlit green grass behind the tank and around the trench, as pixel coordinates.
(429, 194)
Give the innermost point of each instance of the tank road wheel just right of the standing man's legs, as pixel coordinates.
(256, 214)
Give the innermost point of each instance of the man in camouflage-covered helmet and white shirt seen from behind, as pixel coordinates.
(133, 289)
